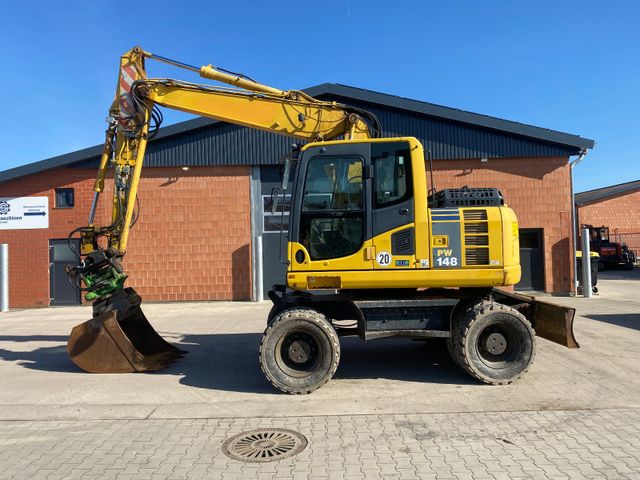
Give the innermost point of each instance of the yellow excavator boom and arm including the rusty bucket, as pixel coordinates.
(119, 338)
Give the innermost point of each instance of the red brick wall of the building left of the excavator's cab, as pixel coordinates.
(192, 241)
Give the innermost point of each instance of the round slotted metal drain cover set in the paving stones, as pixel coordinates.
(264, 445)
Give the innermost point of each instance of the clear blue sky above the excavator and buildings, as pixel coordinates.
(572, 66)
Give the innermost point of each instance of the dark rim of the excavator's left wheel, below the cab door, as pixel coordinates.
(298, 353)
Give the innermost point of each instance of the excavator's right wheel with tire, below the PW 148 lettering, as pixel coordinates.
(493, 343)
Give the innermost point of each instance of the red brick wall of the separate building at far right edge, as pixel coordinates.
(621, 214)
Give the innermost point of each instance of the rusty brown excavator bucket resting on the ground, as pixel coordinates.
(119, 339)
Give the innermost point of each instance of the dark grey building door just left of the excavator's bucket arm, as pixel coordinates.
(61, 256)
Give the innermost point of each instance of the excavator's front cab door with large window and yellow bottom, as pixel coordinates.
(331, 230)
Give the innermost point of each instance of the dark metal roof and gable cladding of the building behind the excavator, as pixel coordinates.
(448, 133)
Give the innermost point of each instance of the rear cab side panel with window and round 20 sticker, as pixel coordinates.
(392, 212)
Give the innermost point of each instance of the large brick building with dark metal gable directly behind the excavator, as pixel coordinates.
(205, 232)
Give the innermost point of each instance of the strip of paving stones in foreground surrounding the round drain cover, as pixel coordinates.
(590, 444)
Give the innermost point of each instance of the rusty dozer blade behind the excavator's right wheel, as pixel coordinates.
(550, 321)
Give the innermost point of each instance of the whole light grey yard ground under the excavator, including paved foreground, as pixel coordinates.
(395, 410)
